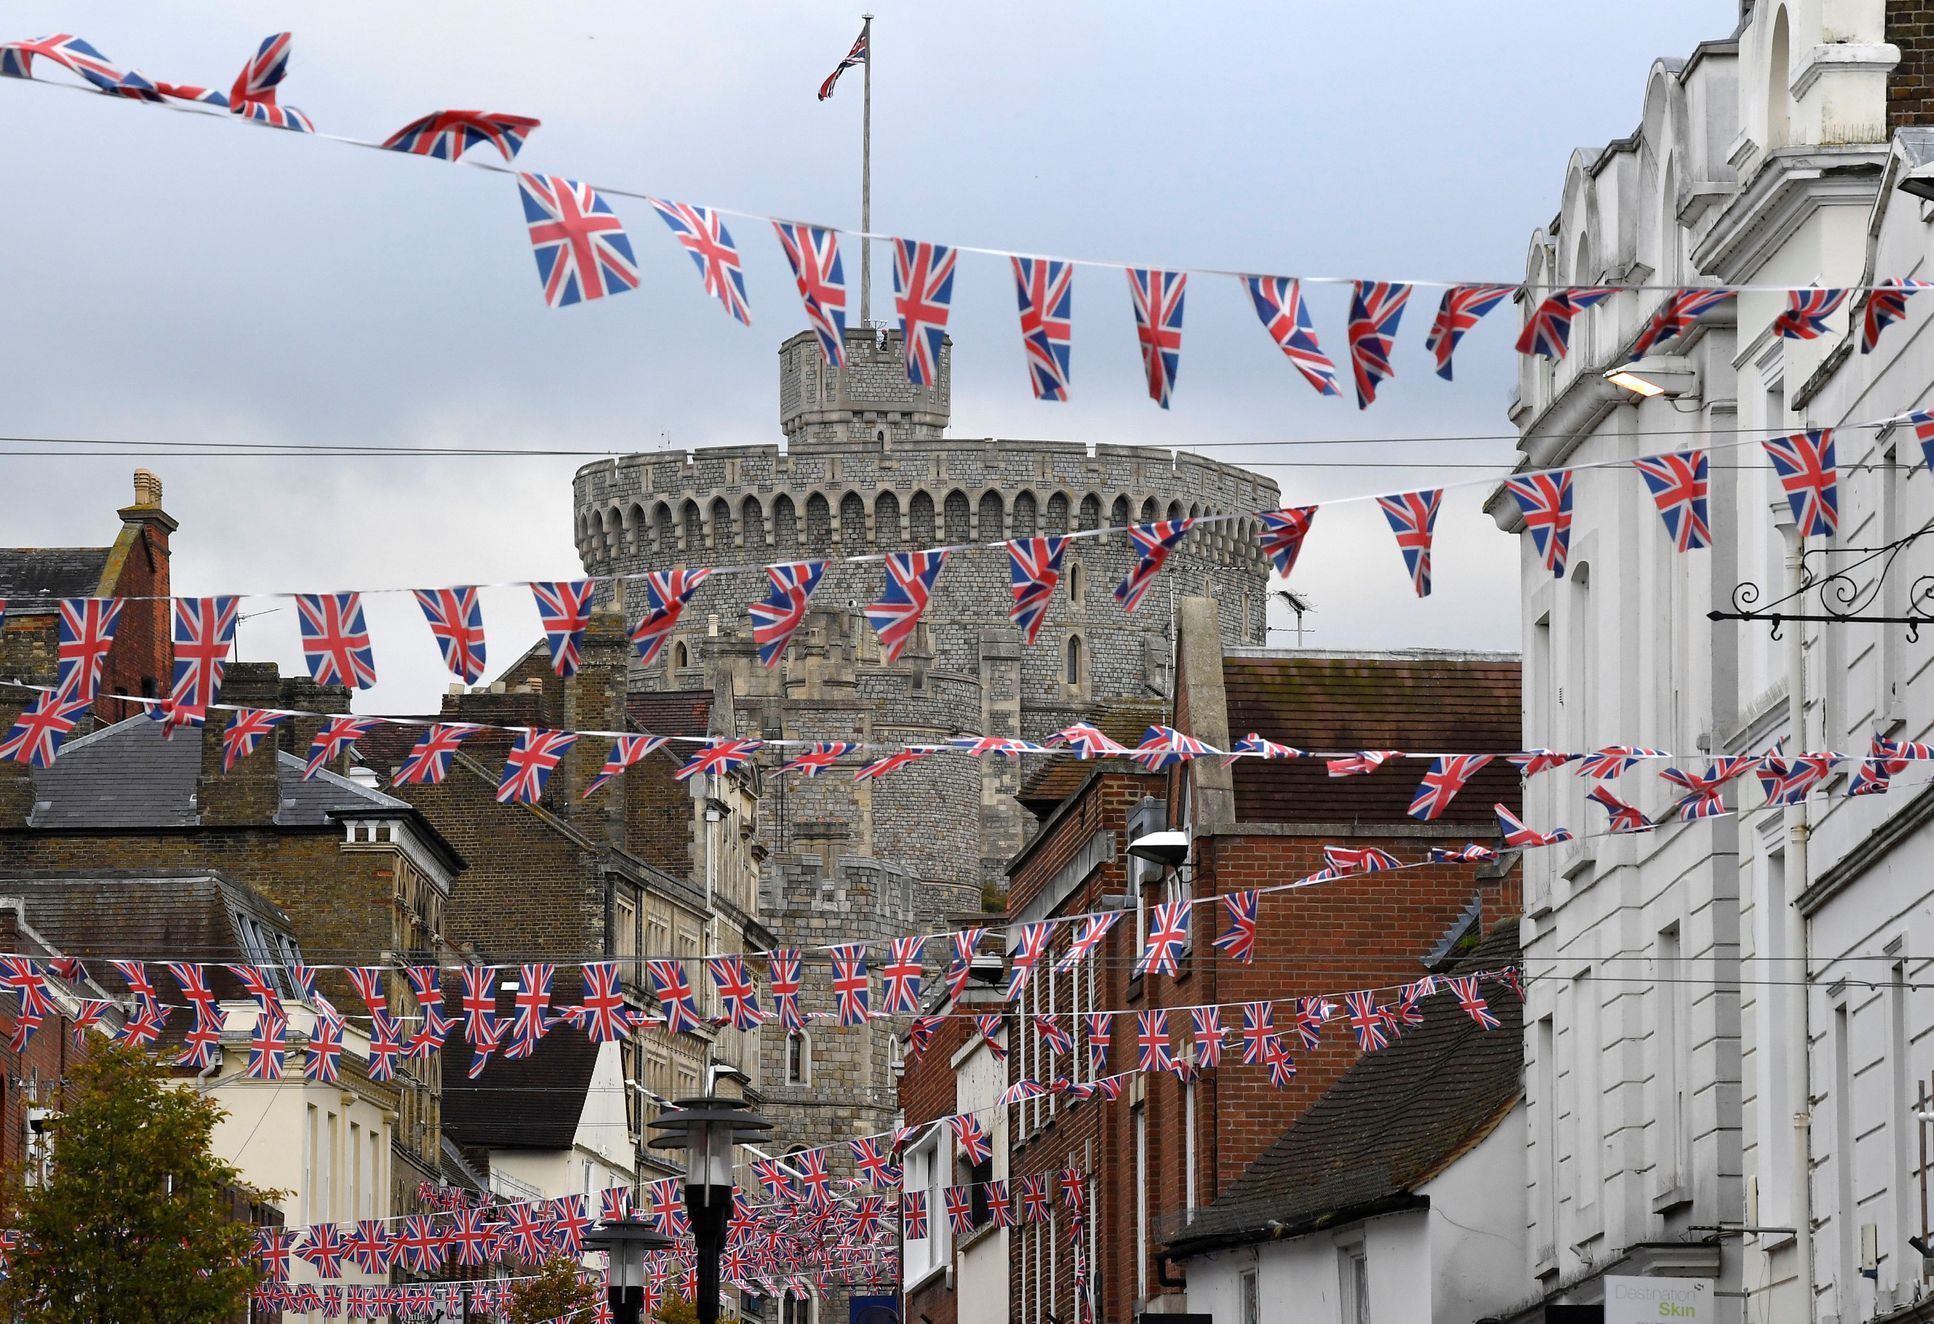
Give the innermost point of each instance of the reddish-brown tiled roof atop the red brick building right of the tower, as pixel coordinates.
(1382, 703)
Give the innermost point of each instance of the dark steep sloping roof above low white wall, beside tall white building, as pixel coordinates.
(1393, 1120)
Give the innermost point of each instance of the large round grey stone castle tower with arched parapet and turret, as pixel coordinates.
(867, 471)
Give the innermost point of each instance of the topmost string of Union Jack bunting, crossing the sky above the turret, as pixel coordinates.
(583, 254)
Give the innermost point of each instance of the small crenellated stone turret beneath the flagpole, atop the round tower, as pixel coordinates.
(867, 401)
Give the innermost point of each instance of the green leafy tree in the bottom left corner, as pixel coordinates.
(136, 1219)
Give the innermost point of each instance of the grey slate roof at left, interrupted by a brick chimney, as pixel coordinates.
(132, 776)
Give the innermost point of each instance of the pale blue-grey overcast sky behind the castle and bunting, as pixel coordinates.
(179, 281)
